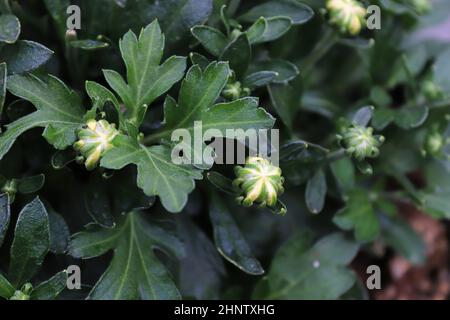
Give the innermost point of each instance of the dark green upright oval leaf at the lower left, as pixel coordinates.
(31, 243)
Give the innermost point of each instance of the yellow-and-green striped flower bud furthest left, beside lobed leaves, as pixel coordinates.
(94, 139)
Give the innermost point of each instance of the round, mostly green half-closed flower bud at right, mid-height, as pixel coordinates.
(360, 142)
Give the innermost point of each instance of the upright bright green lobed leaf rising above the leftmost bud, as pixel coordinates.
(147, 80)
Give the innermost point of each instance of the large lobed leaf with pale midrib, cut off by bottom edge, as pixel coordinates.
(134, 272)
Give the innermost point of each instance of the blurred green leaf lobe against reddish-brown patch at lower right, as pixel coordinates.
(399, 235)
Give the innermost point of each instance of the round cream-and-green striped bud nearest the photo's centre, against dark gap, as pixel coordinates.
(259, 182)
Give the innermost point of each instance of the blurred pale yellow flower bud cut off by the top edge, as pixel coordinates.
(347, 15)
